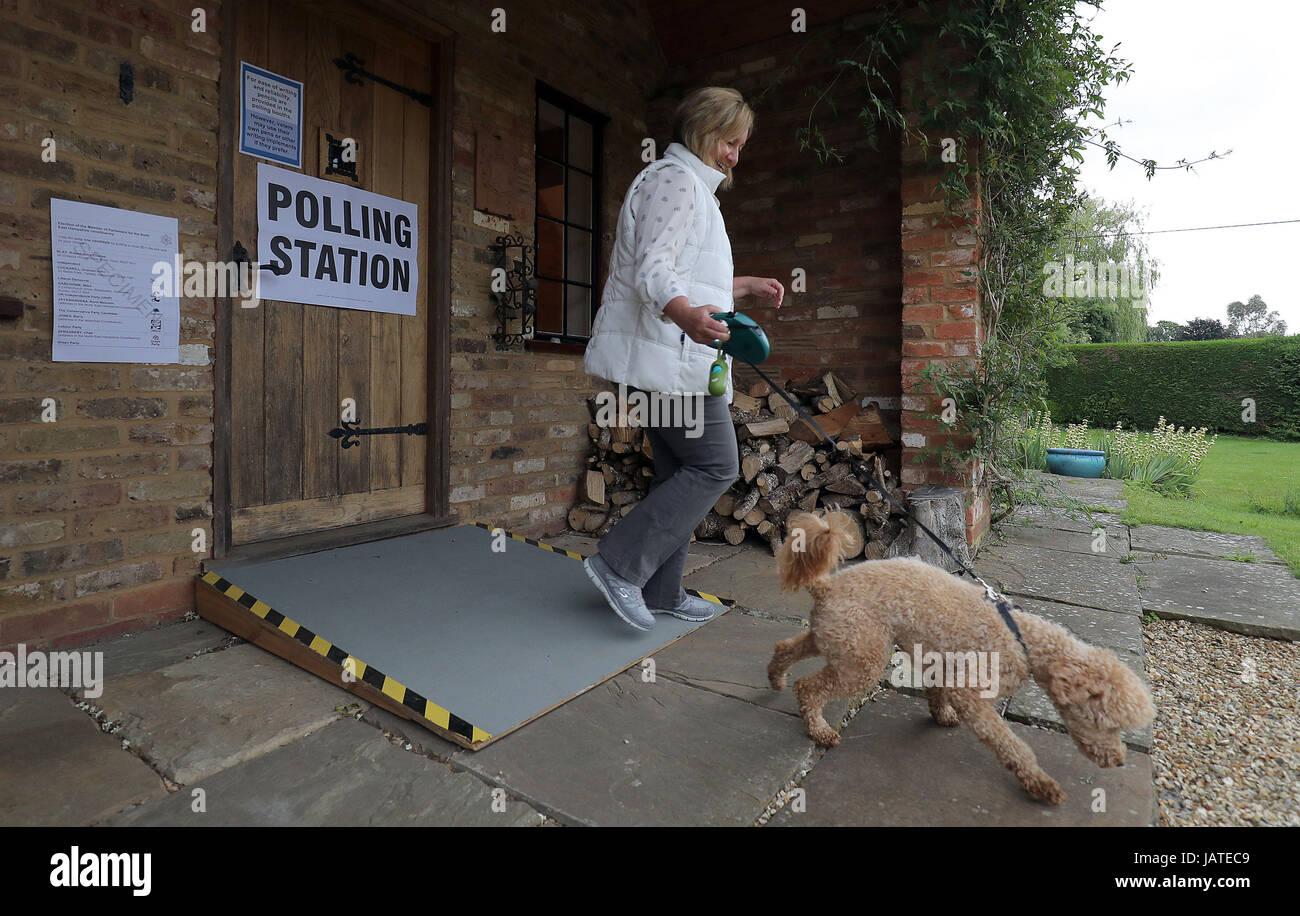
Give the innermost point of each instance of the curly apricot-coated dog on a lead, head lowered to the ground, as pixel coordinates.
(864, 611)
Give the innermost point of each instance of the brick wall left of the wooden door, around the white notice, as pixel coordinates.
(97, 509)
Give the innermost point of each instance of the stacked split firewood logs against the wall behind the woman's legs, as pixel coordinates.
(786, 467)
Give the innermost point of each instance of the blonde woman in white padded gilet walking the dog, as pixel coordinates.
(671, 271)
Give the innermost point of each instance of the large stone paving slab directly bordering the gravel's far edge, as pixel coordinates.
(1253, 598)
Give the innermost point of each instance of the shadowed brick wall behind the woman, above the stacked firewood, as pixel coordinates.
(837, 222)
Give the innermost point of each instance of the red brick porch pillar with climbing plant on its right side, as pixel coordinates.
(941, 320)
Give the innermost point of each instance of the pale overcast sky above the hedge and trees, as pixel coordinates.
(1210, 76)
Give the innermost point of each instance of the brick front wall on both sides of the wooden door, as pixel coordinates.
(97, 510)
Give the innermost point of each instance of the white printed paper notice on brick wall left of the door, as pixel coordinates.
(107, 305)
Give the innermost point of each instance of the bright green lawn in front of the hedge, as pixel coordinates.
(1234, 471)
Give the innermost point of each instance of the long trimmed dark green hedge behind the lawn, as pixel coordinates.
(1190, 384)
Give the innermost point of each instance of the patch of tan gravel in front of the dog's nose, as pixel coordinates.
(1227, 740)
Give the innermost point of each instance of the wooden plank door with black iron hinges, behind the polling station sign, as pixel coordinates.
(293, 366)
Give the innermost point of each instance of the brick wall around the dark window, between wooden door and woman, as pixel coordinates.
(519, 419)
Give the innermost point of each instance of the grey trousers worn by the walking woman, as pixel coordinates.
(649, 545)
